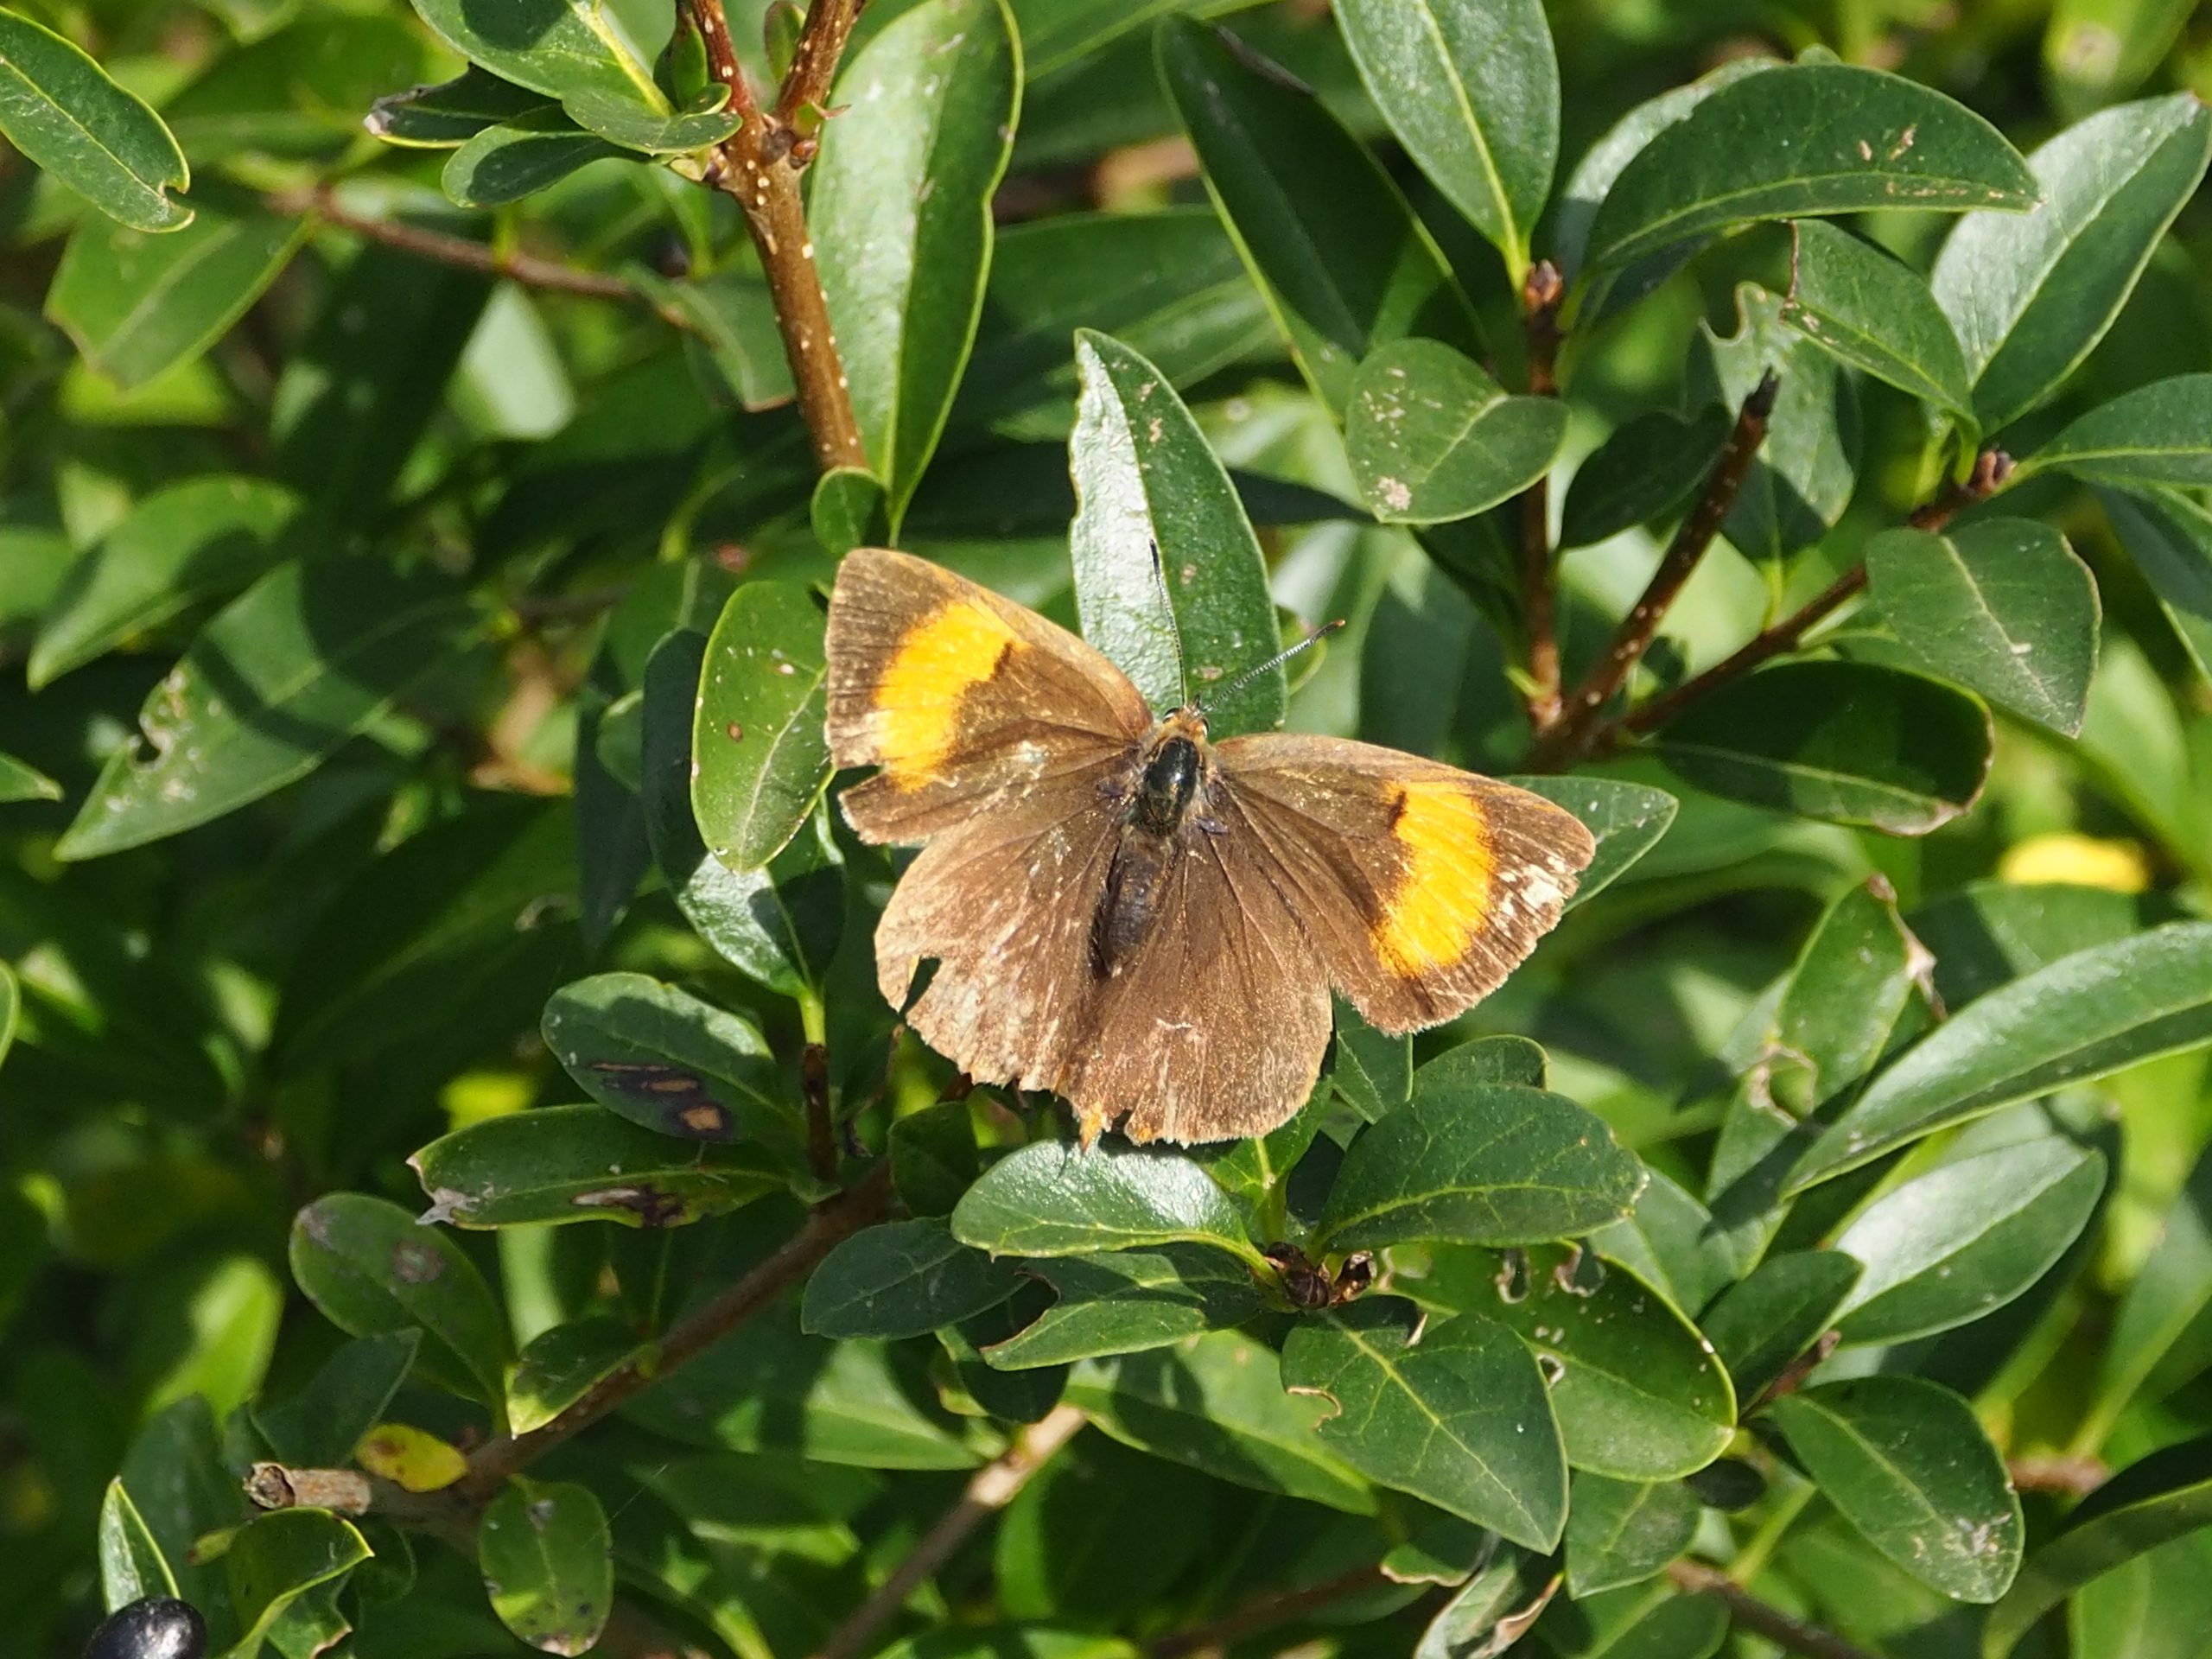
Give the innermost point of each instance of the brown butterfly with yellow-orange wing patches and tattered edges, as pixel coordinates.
(1134, 917)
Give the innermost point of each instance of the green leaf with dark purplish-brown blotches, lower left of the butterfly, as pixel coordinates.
(667, 1061)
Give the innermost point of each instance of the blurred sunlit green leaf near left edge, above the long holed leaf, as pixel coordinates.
(198, 541)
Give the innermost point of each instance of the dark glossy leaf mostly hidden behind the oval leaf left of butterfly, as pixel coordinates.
(780, 926)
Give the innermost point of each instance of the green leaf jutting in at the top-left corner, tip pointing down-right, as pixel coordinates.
(67, 116)
